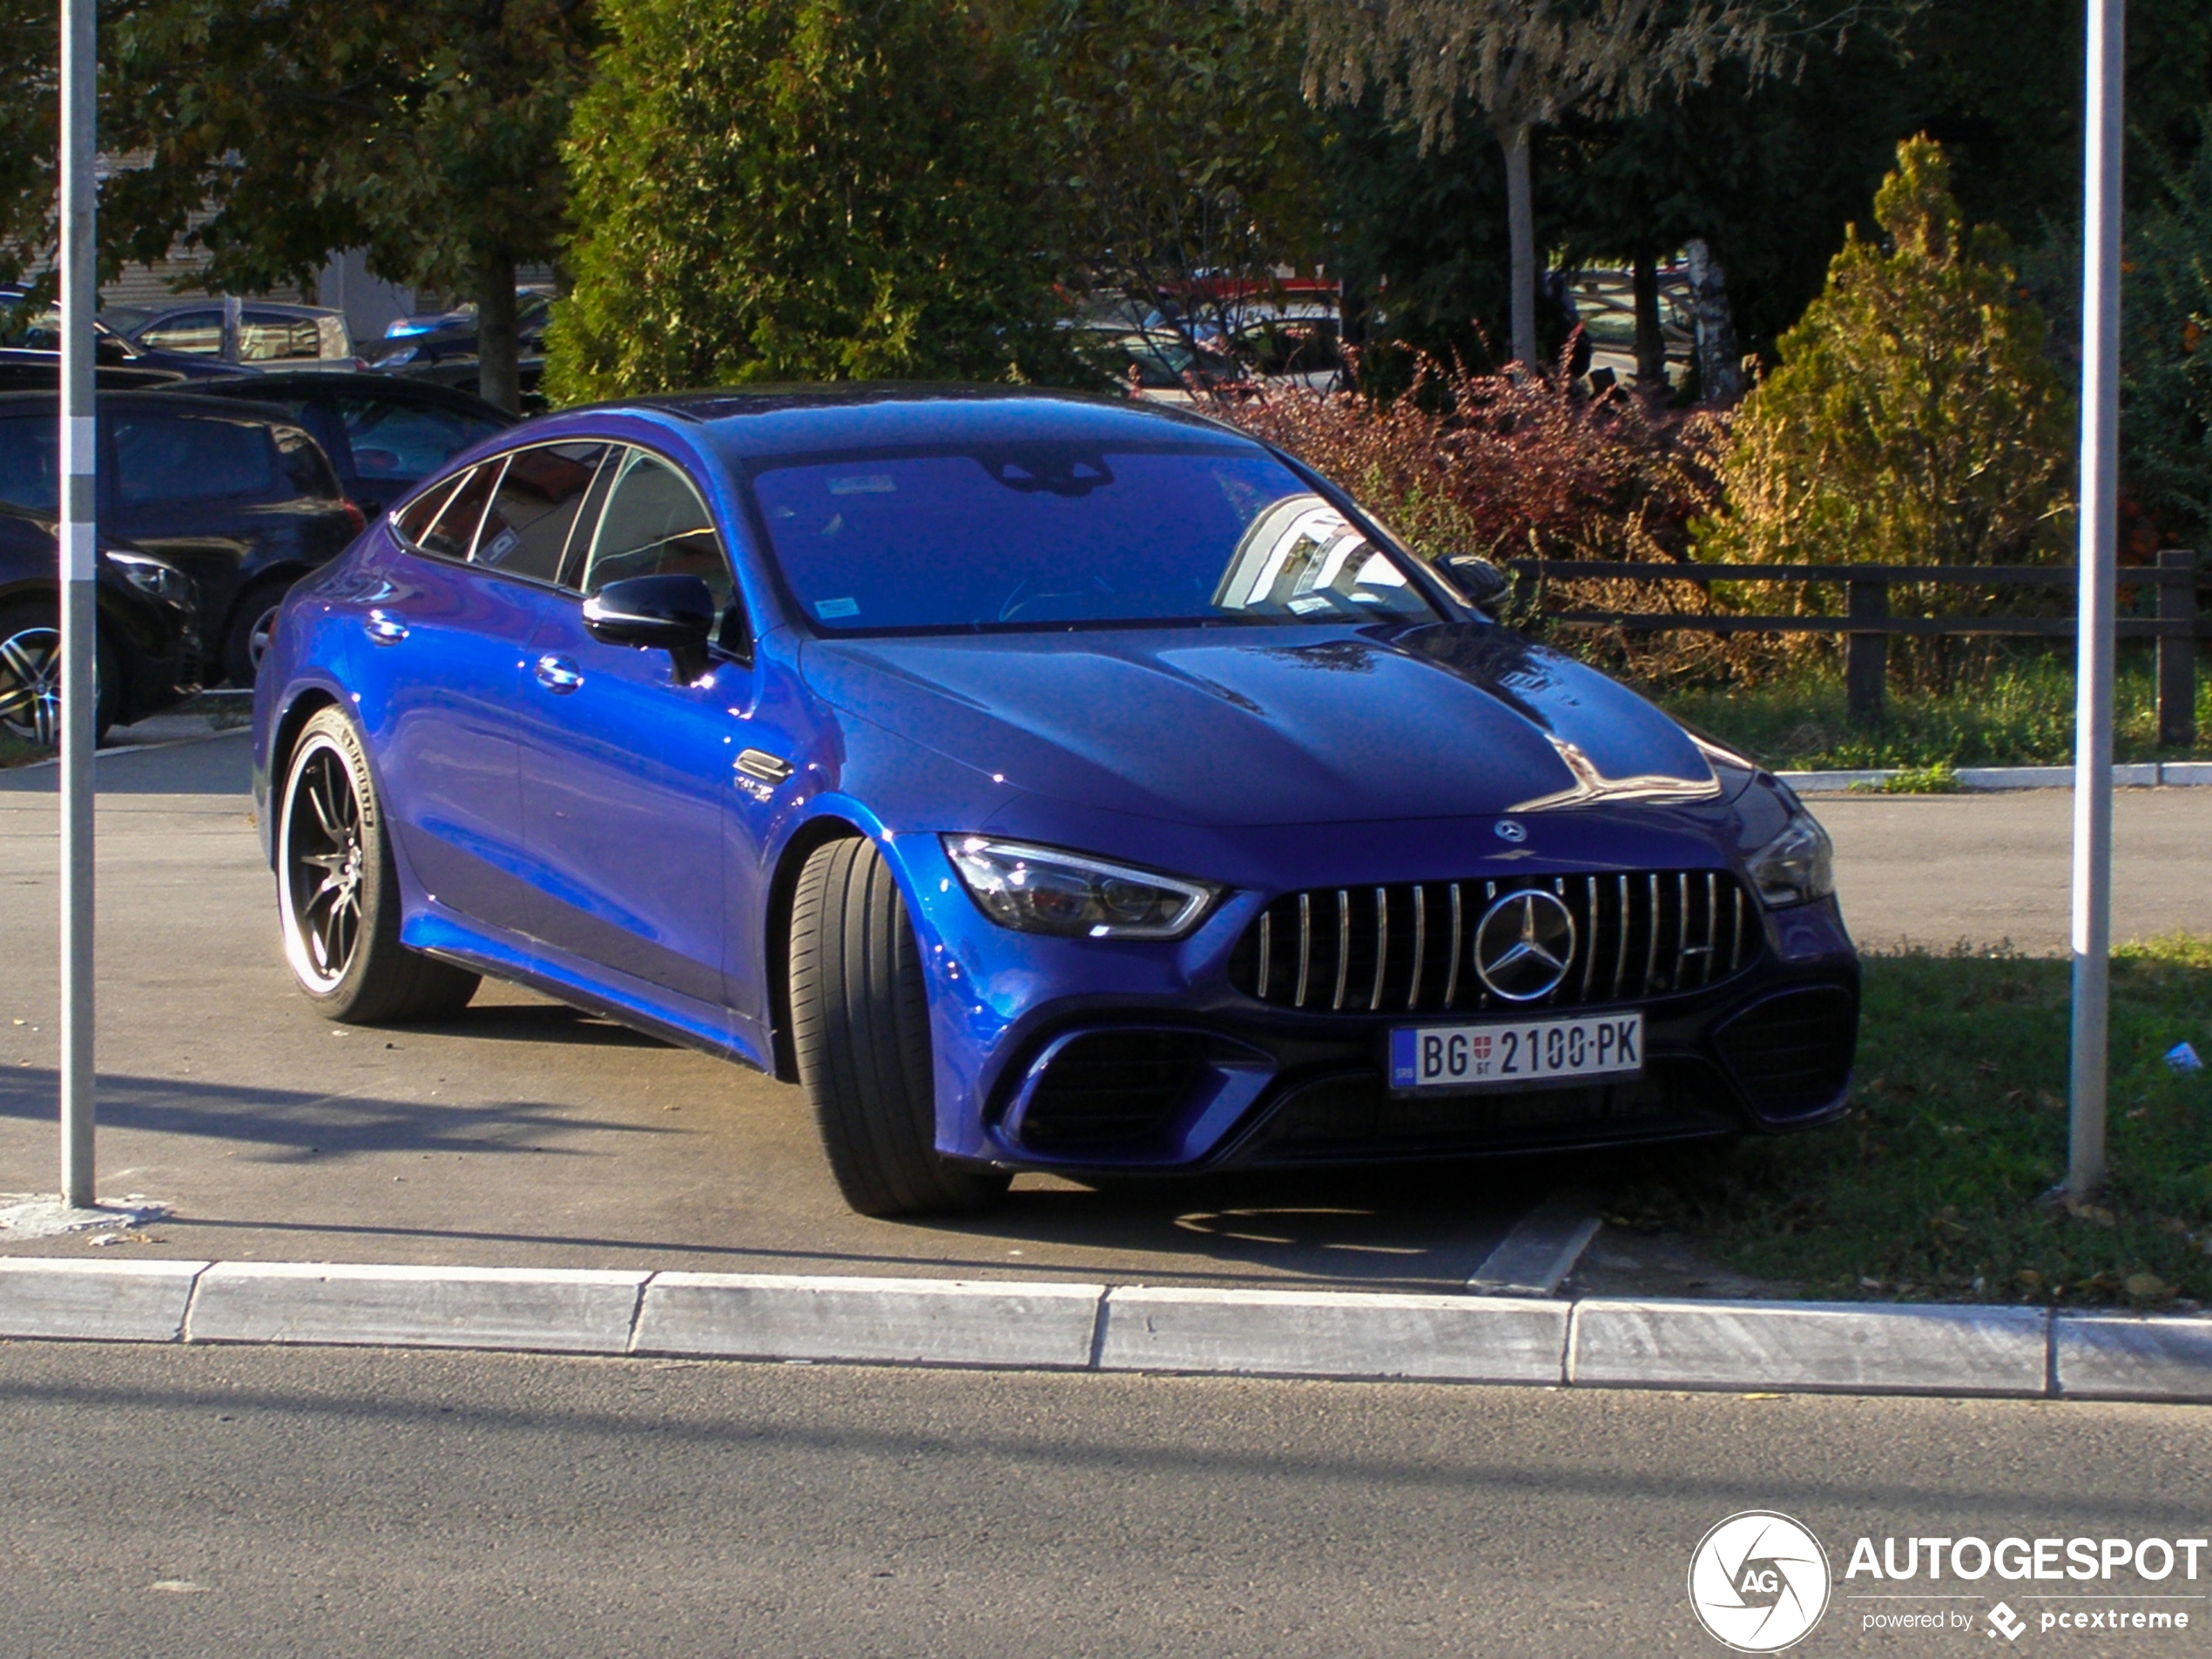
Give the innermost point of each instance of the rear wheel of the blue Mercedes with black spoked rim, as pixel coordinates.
(340, 895)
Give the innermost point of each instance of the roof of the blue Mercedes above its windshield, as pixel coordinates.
(881, 415)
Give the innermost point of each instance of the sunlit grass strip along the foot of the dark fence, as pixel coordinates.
(2023, 716)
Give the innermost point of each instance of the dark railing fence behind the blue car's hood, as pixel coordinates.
(1868, 625)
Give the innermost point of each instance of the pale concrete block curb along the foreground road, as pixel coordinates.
(1545, 1342)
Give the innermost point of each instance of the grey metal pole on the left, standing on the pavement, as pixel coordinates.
(81, 298)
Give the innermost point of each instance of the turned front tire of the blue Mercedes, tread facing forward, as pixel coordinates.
(862, 1039)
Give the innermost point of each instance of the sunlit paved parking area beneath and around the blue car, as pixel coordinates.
(532, 1134)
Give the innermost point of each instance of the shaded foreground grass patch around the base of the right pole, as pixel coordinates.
(1932, 1187)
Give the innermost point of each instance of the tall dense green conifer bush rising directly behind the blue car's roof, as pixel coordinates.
(802, 191)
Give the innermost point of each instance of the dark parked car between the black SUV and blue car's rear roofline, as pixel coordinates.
(384, 435)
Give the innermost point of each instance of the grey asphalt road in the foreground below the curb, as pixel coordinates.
(240, 1503)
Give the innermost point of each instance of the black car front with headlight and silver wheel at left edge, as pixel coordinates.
(147, 638)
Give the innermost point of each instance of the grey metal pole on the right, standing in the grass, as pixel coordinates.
(2098, 559)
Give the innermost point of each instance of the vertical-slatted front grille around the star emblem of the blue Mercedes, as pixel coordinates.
(1408, 948)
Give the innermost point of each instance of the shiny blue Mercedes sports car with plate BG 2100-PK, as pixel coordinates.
(1045, 784)
